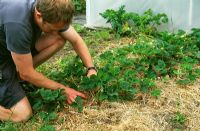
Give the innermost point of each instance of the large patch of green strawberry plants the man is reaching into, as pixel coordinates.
(121, 76)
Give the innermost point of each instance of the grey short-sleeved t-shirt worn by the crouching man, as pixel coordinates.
(18, 32)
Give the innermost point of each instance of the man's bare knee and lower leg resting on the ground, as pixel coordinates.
(20, 112)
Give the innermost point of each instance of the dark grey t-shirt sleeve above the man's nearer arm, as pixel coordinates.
(18, 38)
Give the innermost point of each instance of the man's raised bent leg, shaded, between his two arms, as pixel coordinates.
(47, 46)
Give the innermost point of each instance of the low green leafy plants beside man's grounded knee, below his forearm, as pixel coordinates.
(45, 102)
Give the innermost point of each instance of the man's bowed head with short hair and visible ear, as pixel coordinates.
(53, 12)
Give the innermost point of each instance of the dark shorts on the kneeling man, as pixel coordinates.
(11, 91)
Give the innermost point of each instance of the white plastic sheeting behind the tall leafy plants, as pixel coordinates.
(182, 14)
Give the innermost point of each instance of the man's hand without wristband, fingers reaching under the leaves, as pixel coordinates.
(72, 94)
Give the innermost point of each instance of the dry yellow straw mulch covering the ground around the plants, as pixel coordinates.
(144, 113)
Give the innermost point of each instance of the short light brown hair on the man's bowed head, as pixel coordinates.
(54, 11)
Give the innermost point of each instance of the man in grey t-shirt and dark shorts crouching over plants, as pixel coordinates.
(31, 31)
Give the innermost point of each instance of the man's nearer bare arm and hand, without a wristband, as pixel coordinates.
(26, 71)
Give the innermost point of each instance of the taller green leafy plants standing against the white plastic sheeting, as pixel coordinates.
(124, 23)
